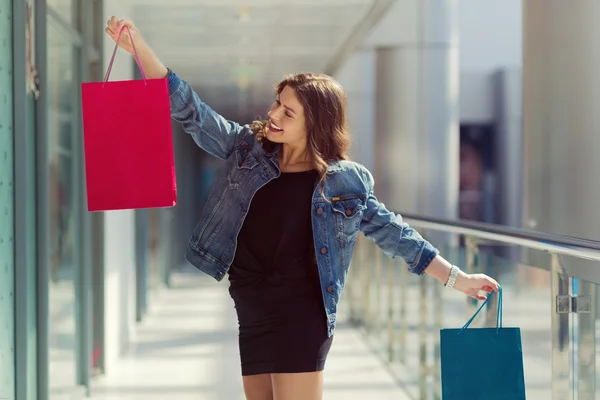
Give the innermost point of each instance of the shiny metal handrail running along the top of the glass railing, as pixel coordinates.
(564, 245)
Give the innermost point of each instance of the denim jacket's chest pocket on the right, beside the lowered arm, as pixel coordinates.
(347, 214)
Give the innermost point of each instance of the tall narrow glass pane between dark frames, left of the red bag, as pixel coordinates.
(62, 125)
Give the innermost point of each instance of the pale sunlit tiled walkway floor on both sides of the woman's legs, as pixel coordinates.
(187, 349)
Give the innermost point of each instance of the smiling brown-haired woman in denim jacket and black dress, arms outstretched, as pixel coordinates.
(282, 220)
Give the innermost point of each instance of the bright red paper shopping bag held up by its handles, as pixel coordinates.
(128, 142)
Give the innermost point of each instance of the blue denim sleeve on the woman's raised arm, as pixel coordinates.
(213, 133)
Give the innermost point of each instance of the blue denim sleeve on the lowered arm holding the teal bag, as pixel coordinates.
(393, 235)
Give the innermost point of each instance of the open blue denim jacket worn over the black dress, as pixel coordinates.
(350, 207)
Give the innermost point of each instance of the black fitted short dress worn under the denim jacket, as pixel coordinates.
(274, 281)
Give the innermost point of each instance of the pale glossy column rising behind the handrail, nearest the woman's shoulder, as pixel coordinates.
(416, 115)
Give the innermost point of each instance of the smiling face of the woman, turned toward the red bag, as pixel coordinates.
(288, 124)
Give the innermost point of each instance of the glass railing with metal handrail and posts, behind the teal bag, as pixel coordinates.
(549, 284)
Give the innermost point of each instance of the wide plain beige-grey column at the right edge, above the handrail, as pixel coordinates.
(561, 103)
